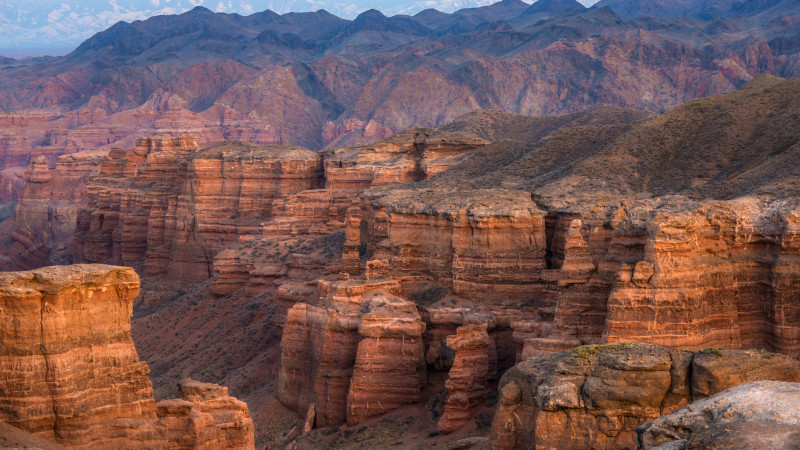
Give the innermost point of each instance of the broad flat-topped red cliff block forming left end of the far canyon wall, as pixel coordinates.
(166, 205)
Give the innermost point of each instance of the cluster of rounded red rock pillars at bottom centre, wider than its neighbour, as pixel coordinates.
(357, 355)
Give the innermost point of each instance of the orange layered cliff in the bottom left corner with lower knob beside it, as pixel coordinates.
(72, 374)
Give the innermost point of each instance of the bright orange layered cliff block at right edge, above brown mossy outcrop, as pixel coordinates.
(706, 280)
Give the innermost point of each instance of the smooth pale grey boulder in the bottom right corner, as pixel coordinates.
(751, 416)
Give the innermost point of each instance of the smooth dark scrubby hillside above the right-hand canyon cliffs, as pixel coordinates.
(742, 143)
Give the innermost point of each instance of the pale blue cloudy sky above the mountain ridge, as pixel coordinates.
(39, 27)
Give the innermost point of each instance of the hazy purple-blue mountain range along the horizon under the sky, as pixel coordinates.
(318, 80)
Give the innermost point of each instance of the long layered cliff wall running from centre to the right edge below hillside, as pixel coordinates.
(668, 271)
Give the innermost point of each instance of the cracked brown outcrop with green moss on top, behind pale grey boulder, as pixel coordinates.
(596, 396)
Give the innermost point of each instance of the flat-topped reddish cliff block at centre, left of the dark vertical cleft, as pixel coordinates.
(482, 243)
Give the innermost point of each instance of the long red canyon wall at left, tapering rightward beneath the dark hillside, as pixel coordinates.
(168, 207)
